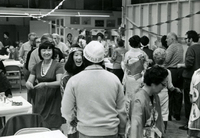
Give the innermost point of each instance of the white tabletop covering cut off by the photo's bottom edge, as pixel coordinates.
(47, 134)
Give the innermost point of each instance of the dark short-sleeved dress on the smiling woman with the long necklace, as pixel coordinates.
(47, 99)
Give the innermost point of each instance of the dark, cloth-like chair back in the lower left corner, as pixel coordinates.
(18, 122)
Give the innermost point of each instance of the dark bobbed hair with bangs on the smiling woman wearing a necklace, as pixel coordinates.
(47, 45)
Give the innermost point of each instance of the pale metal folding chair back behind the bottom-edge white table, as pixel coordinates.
(31, 130)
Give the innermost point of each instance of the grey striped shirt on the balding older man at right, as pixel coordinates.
(174, 55)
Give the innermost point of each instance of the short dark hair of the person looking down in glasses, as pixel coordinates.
(155, 75)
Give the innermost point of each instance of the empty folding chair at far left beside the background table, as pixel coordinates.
(13, 72)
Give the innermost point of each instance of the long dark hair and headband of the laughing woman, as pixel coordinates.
(70, 65)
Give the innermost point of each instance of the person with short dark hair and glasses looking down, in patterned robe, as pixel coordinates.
(145, 112)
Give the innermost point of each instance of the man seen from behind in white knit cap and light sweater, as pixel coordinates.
(98, 97)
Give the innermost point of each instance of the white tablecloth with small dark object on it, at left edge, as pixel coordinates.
(7, 110)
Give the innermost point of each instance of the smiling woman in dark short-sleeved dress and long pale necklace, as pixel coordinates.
(48, 73)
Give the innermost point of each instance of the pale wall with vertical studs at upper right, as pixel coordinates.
(153, 13)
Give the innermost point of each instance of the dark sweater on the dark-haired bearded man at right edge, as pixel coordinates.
(192, 60)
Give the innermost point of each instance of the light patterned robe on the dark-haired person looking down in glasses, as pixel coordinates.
(145, 116)
